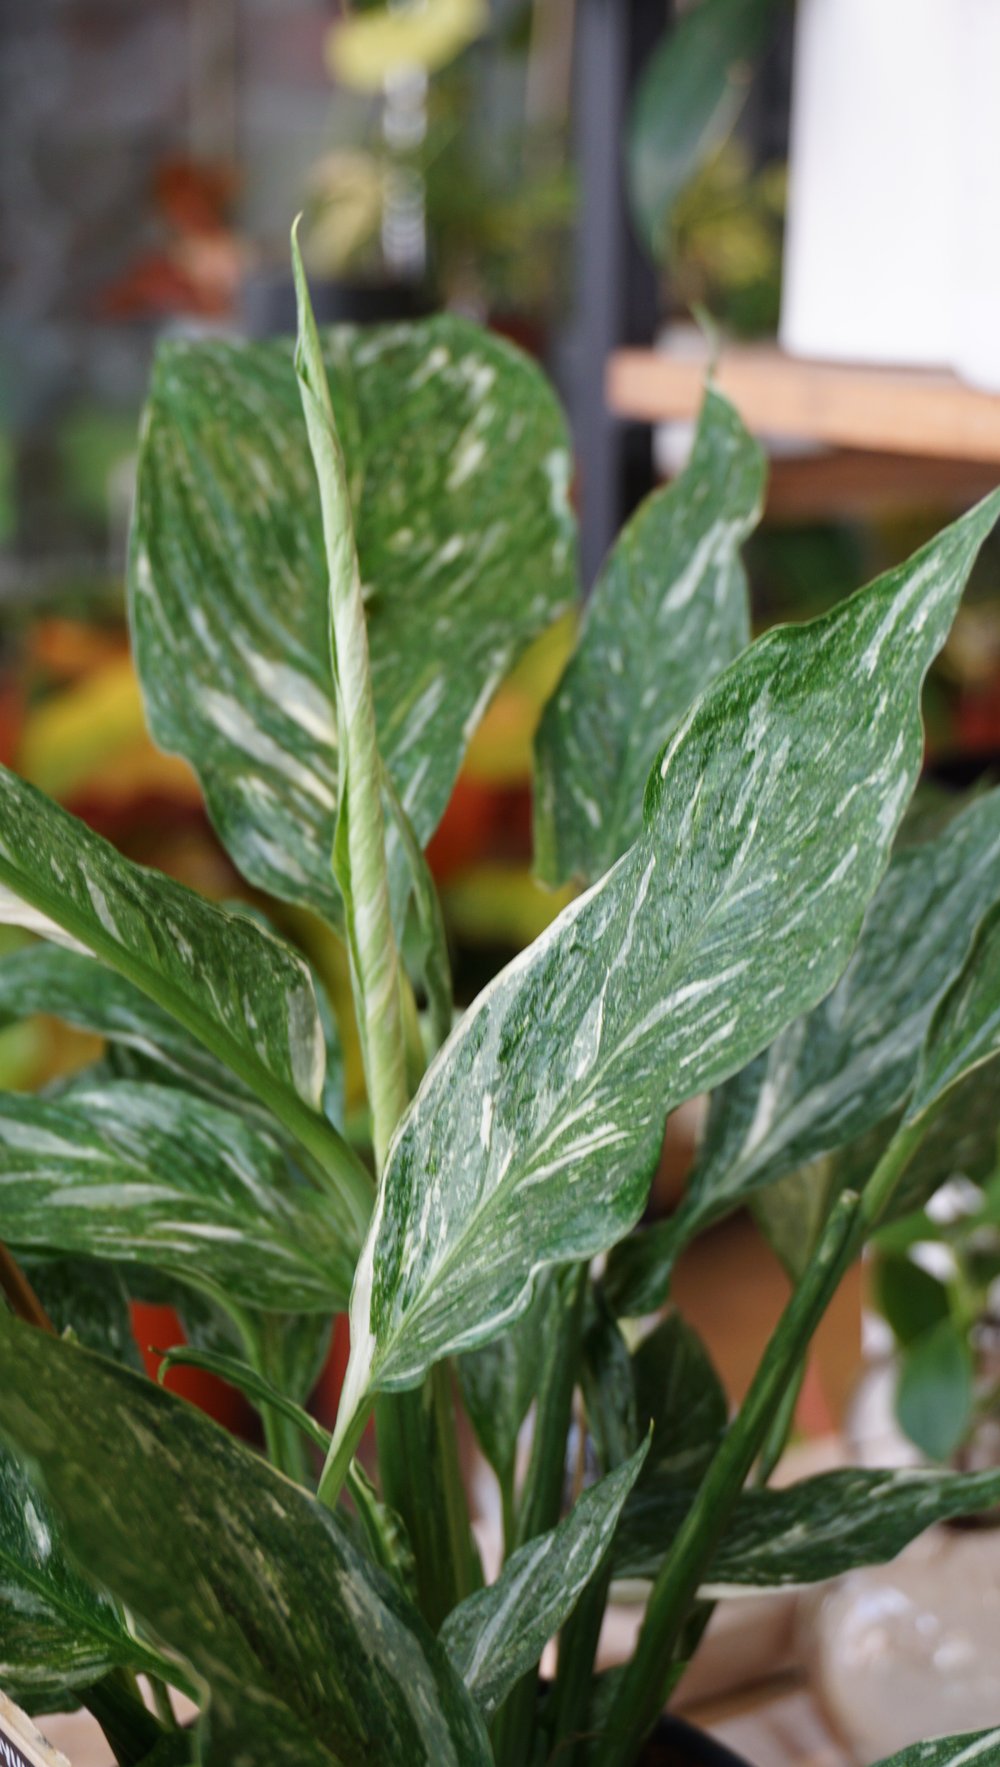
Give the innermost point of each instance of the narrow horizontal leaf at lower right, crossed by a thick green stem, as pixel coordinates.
(808, 1531)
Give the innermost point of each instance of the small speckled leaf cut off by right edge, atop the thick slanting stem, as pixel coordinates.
(966, 1029)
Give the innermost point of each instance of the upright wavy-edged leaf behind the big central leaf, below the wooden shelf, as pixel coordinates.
(669, 612)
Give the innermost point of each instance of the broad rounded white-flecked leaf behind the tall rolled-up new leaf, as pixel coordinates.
(458, 471)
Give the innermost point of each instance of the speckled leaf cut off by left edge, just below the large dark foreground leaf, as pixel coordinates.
(57, 1632)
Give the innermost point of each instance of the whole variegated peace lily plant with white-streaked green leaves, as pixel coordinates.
(338, 554)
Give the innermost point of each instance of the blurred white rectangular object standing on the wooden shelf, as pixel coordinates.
(872, 199)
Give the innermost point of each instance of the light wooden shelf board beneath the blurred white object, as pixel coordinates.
(881, 411)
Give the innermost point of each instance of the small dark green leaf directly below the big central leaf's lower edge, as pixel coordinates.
(501, 1381)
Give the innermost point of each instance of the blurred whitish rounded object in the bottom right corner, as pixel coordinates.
(913, 1649)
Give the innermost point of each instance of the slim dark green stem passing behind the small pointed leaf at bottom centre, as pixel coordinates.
(542, 1503)
